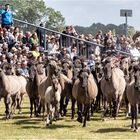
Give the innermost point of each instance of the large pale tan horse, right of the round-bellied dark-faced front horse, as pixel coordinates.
(113, 86)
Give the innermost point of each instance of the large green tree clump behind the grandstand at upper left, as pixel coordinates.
(35, 11)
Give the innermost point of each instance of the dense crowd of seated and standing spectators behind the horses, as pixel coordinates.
(20, 49)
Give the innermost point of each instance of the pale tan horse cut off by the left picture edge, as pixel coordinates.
(10, 90)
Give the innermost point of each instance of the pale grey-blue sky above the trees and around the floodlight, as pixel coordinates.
(86, 12)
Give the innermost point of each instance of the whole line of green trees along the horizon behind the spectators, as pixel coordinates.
(36, 11)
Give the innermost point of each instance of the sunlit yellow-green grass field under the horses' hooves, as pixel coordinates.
(22, 127)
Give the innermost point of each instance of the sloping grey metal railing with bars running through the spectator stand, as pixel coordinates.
(65, 40)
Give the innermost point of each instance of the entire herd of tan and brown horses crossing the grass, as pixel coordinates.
(52, 84)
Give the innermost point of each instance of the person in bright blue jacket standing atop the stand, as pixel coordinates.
(7, 19)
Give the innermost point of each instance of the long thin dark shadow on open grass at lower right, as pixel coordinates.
(109, 130)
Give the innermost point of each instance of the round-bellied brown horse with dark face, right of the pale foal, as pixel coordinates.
(84, 91)
